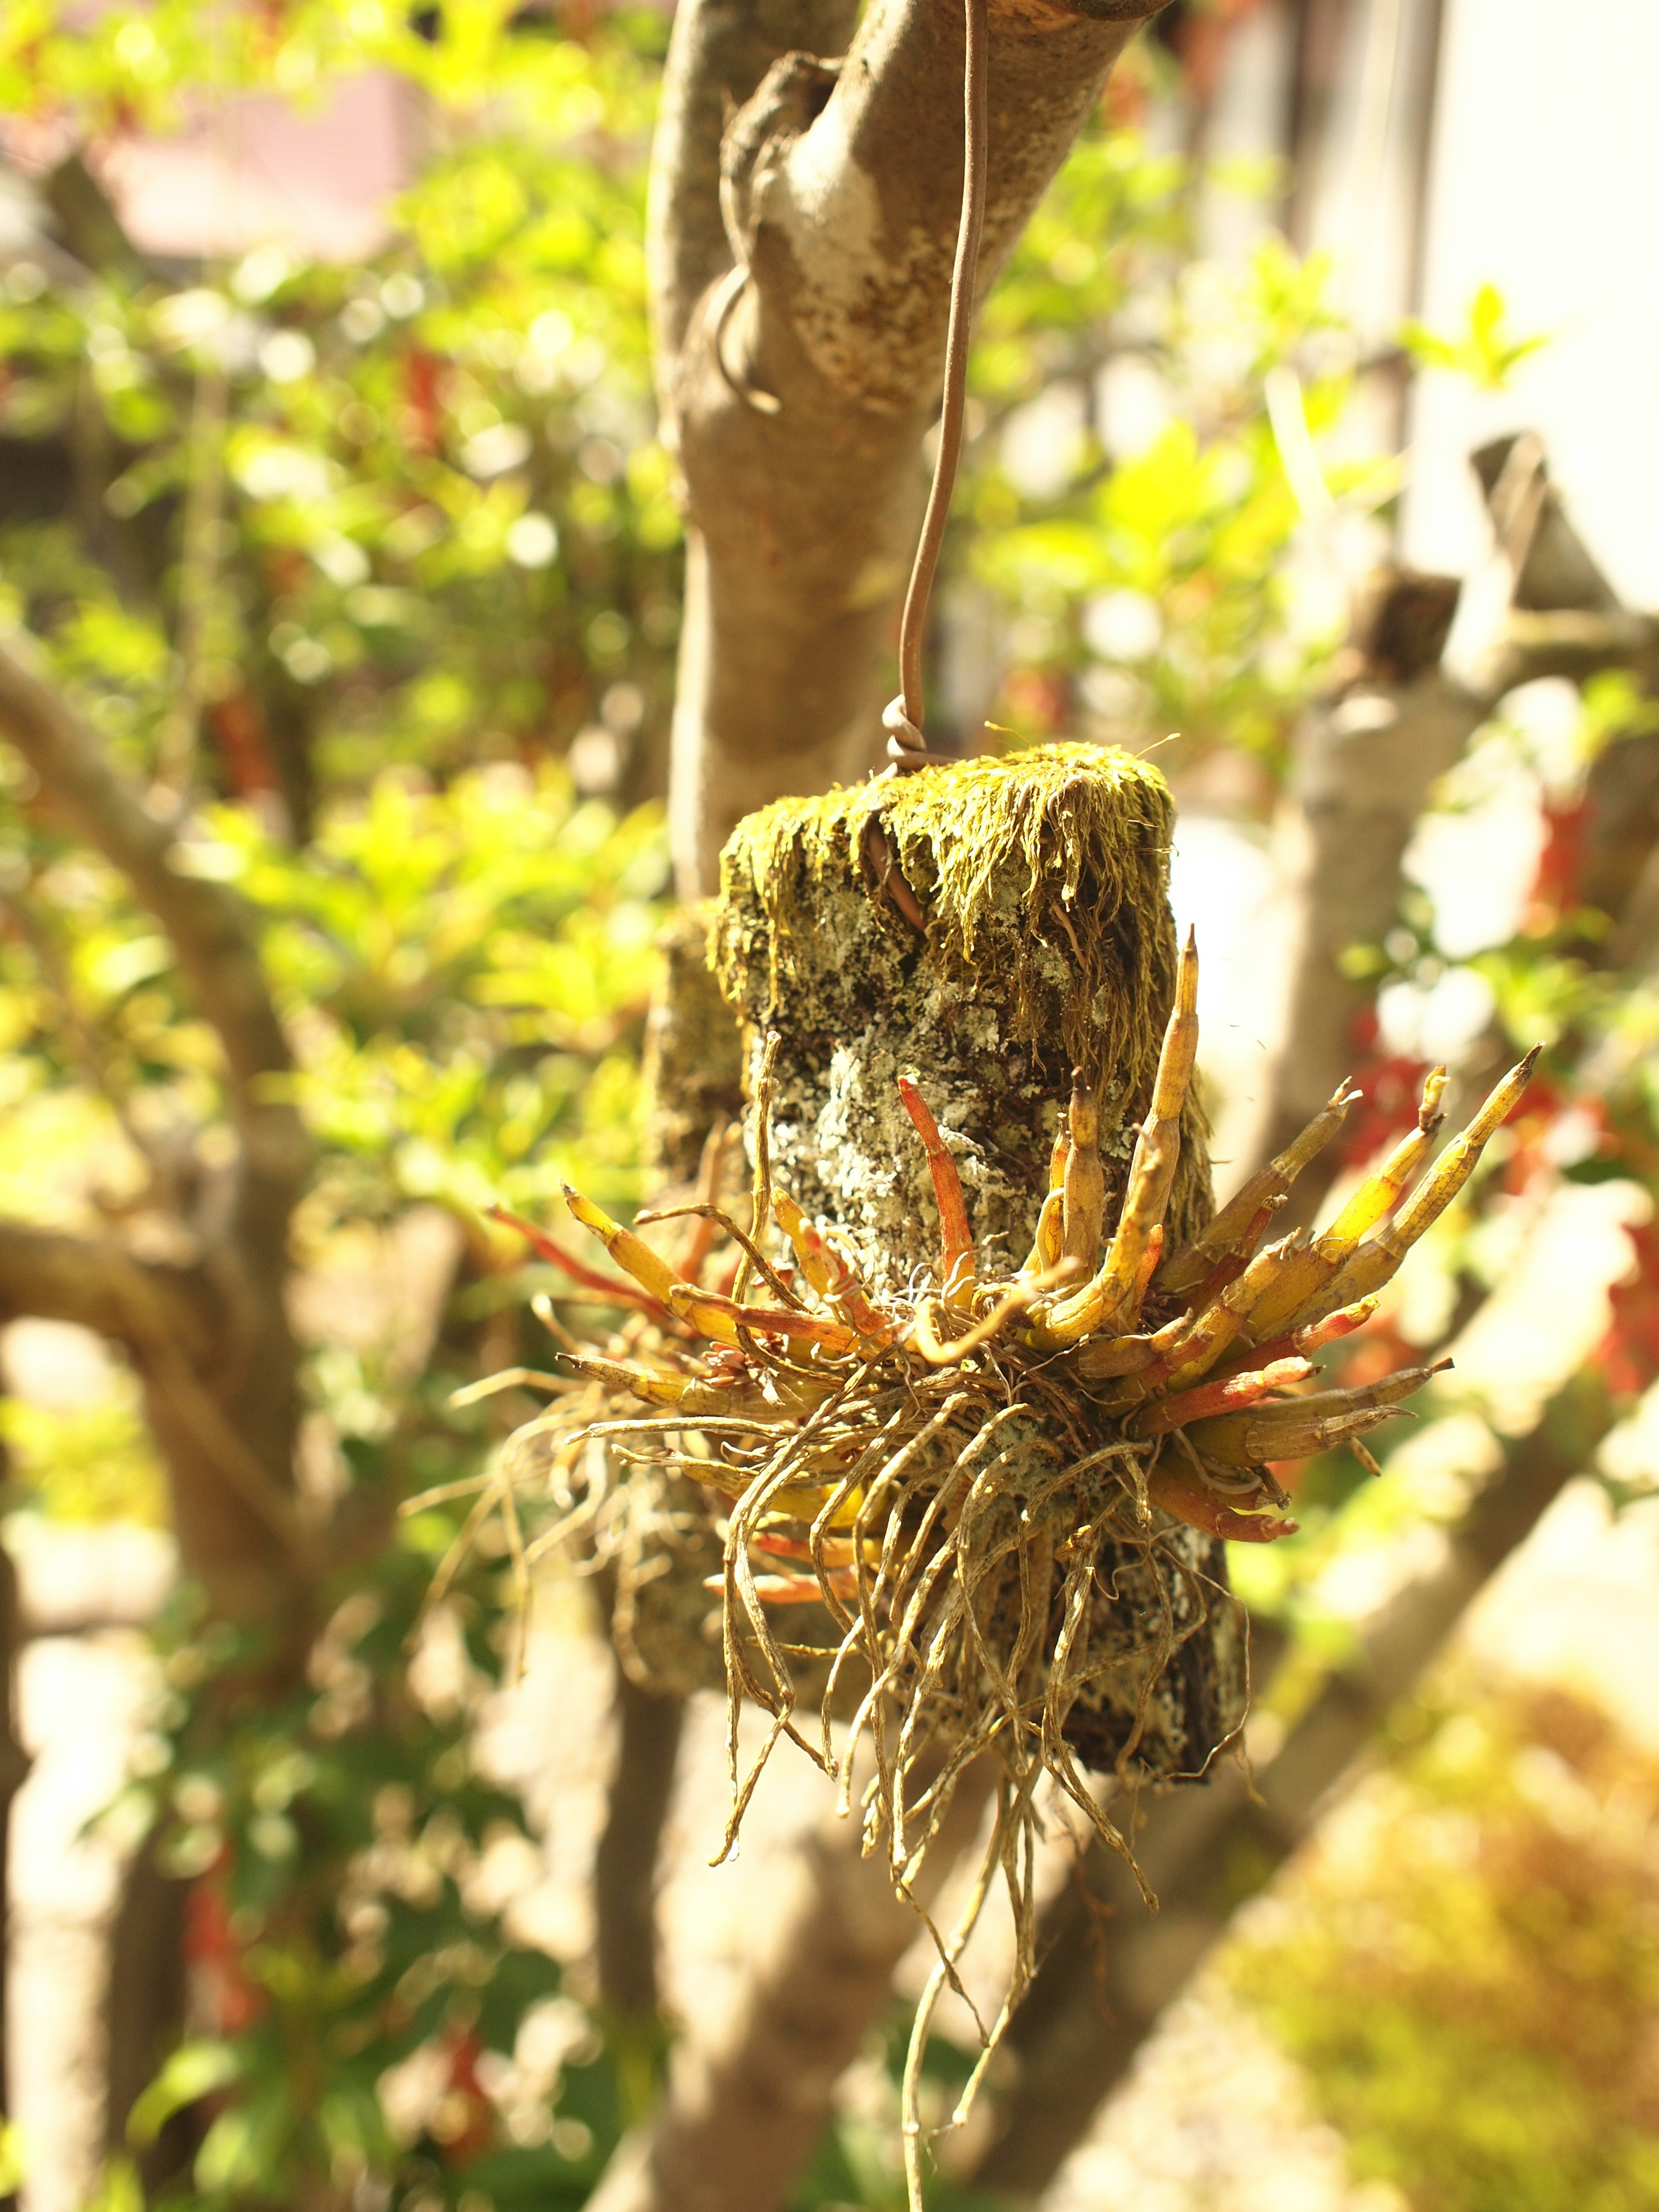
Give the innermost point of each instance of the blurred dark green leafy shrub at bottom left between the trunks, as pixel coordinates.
(364, 2005)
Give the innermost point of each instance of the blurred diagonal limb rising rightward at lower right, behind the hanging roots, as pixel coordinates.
(1109, 1965)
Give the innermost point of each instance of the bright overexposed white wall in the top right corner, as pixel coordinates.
(1547, 182)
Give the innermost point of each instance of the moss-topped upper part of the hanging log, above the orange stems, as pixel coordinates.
(1045, 946)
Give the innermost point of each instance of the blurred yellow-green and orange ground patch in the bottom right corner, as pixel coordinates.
(1470, 1968)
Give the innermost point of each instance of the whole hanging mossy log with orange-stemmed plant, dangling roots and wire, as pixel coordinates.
(985, 1390)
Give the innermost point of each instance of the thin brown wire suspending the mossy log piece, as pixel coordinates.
(904, 718)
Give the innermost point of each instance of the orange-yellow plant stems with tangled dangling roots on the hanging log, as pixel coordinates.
(1001, 1490)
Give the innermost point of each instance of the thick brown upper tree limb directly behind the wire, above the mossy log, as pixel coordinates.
(802, 351)
